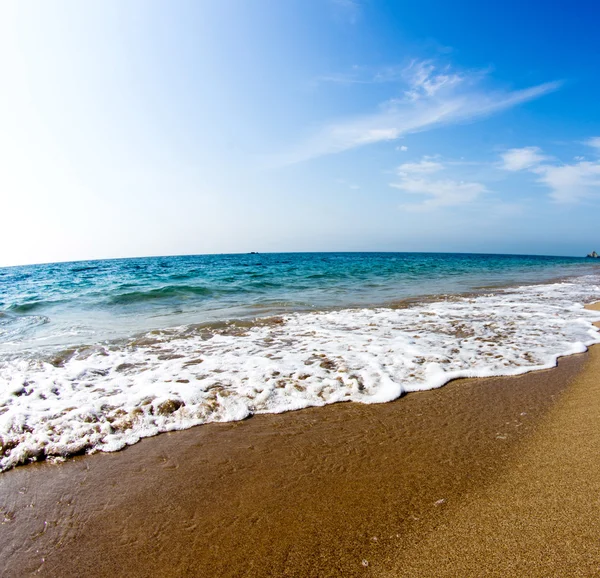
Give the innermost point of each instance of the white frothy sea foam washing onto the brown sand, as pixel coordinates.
(106, 397)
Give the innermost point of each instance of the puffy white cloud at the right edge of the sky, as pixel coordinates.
(568, 182)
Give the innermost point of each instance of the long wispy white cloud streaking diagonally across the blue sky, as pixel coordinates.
(432, 96)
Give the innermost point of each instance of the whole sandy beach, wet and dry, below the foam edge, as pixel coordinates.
(481, 477)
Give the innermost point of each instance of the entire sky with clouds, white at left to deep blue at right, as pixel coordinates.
(155, 128)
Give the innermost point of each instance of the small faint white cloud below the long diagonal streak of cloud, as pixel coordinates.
(445, 192)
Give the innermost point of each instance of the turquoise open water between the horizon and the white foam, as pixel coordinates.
(69, 304)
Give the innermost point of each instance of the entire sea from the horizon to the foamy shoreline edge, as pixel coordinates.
(95, 355)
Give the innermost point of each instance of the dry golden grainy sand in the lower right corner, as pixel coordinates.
(540, 516)
